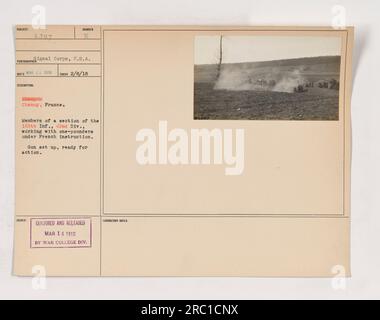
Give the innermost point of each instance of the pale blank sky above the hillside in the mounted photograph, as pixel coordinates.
(263, 48)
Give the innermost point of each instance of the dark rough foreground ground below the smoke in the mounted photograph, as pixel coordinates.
(316, 104)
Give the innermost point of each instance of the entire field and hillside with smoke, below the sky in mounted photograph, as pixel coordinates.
(242, 90)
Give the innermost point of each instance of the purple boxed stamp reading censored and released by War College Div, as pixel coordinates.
(60, 233)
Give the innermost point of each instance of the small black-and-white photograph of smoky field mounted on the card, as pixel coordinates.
(267, 77)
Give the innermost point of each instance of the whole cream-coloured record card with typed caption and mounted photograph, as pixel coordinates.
(183, 151)
